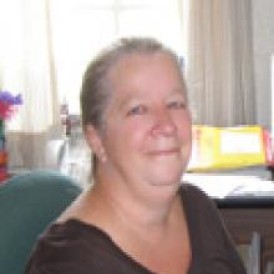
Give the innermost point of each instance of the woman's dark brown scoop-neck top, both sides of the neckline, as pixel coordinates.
(78, 248)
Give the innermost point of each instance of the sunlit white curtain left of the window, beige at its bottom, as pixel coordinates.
(27, 67)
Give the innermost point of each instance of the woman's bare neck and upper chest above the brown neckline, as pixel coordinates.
(152, 236)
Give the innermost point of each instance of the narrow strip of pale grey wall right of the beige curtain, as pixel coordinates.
(263, 39)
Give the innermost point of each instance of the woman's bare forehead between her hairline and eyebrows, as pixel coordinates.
(137, 78)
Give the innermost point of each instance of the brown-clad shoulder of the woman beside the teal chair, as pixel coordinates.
(78, 247)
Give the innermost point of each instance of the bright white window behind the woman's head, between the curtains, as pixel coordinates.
(80, 28)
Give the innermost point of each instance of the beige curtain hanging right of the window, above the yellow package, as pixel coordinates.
(220, 62)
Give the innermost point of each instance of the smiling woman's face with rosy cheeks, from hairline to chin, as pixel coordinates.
(147, 132)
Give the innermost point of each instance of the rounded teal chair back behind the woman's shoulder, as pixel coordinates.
(28, 204)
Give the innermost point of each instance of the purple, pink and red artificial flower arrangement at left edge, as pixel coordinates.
(8, 106)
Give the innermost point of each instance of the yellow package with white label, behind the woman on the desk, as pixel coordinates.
(216, 148)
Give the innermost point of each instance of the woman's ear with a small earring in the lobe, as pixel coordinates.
(94, 140)
